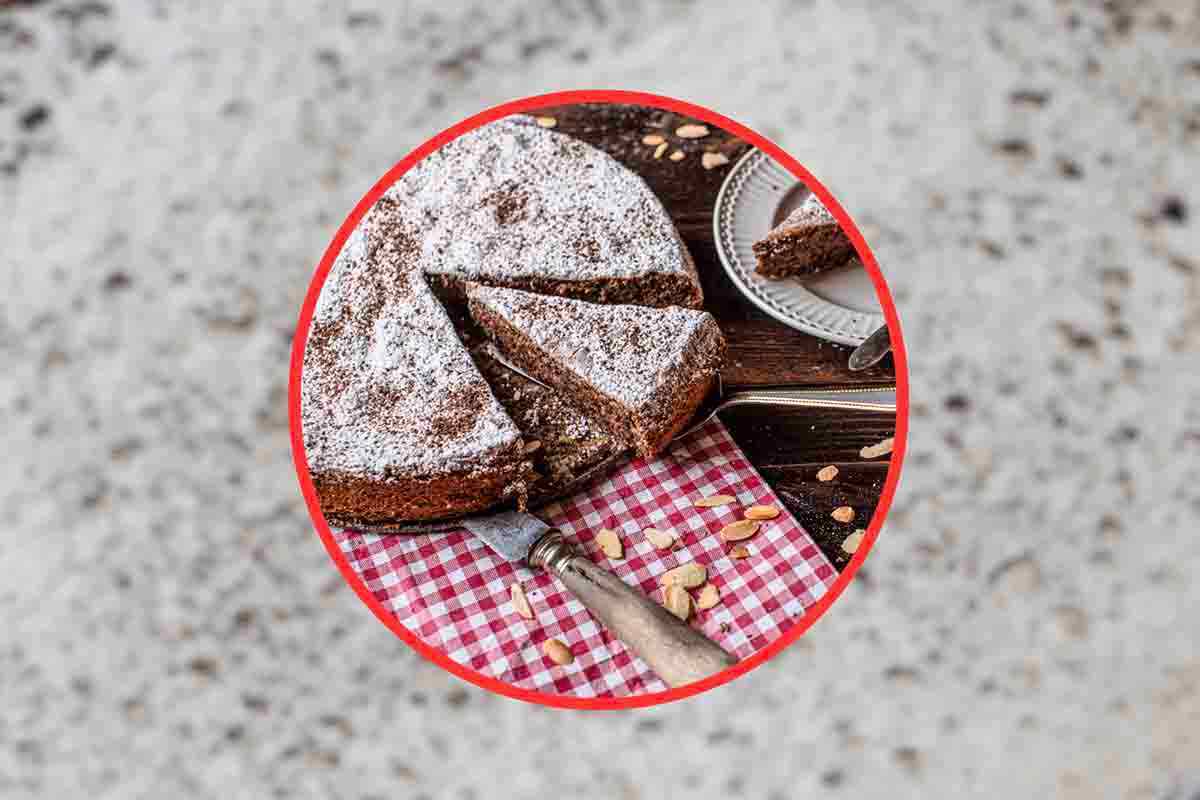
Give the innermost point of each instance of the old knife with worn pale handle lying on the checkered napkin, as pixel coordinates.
(676, 652)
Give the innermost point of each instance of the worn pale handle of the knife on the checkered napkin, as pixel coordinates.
(679, 653)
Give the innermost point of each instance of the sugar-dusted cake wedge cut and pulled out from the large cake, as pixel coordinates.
(640, 371)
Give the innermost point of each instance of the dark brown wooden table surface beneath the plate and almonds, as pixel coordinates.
(788, 447)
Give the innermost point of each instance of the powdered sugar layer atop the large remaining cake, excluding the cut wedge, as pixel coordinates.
(388, 388)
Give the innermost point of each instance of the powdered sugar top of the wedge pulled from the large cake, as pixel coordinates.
(626, 352)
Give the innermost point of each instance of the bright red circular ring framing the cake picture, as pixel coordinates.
(598, 97)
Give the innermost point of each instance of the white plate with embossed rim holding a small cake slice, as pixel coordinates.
(838, 306)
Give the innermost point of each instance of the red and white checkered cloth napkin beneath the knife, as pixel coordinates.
(453, 592)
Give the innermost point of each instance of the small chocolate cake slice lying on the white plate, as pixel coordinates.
(808, 242)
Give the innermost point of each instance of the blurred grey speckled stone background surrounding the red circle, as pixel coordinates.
(1027, 173)
